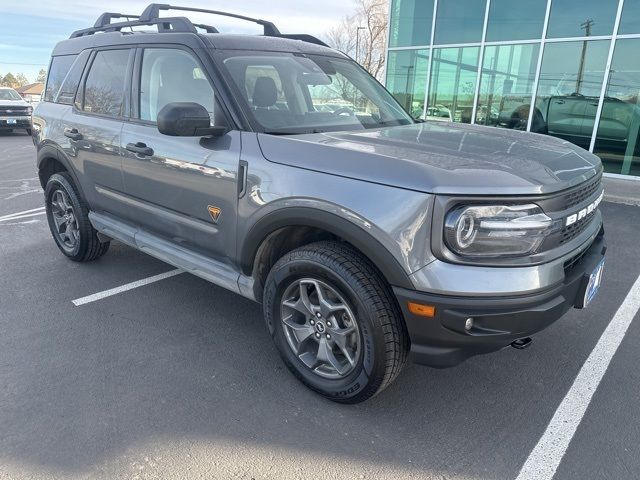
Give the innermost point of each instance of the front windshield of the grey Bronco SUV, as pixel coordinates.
(290, 93)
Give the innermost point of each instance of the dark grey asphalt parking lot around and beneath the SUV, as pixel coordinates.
(179, 379)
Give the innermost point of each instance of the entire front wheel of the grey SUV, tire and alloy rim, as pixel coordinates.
(335, 321)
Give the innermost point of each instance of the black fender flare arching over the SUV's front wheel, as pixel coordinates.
(311, 217)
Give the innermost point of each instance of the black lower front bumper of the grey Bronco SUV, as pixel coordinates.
(442, 341)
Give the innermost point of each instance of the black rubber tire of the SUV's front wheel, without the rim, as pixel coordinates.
(384, 337)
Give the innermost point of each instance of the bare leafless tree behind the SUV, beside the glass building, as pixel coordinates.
(363, 35)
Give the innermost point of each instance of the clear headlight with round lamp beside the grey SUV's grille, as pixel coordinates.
(496, 230)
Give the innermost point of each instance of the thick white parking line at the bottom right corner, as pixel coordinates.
(547, 454)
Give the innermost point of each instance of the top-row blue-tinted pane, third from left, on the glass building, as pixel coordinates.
(515, 20)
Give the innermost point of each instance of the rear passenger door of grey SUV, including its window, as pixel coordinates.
(94, 125)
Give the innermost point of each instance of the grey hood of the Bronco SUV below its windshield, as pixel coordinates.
(442, 158)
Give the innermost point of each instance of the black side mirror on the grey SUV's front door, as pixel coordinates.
(186, 119)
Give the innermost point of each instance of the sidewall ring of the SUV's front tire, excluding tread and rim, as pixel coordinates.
(281, 277)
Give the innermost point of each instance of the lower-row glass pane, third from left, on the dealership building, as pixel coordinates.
(506, 86)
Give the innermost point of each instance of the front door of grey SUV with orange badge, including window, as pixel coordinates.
(181, 188)
